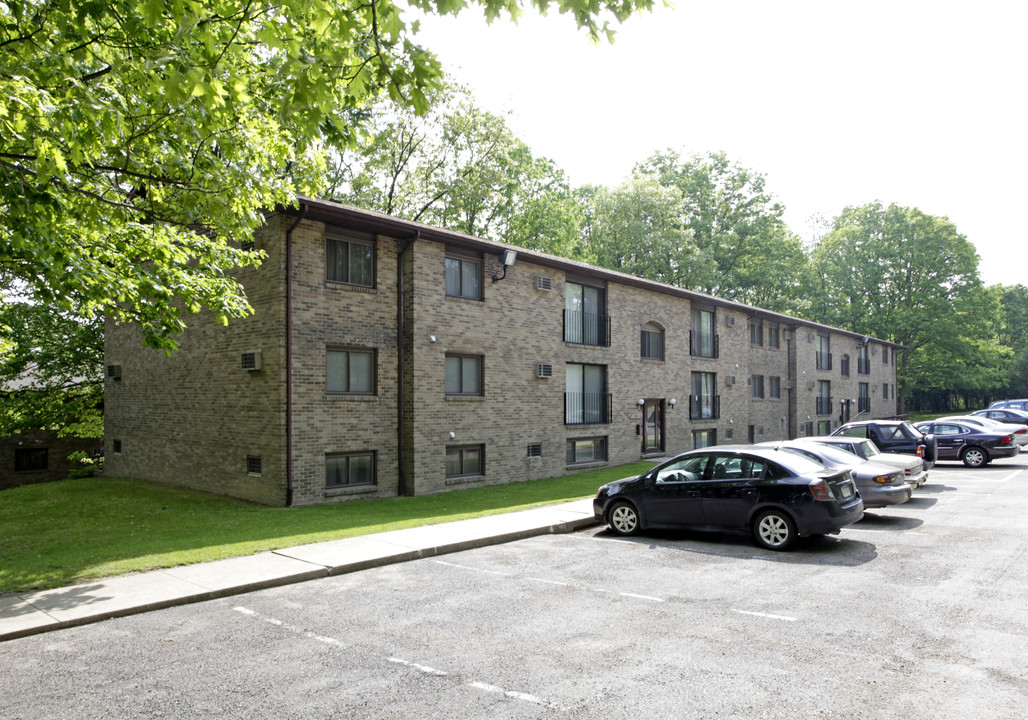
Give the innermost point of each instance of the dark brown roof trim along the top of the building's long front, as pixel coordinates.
(371, 222)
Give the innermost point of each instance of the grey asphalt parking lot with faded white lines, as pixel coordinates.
(916, 611)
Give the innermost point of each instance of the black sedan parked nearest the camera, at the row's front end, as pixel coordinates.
(774, 495)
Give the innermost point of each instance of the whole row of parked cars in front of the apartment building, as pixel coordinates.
(781, 491)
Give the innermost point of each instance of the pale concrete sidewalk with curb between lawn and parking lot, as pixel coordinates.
(127, 595)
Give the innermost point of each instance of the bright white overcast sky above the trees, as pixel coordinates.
(913, 102)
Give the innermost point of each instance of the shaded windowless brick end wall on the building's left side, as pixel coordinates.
(193, 419)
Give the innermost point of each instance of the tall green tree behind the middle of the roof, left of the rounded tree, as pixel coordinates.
(746, 250)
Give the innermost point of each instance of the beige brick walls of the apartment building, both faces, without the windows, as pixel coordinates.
(193, 419)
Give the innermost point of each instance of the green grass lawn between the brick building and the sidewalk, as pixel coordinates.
(61, 533)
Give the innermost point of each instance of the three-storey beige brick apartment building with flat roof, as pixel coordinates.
(388, 357)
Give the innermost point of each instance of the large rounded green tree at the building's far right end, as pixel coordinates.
(901, 275)
